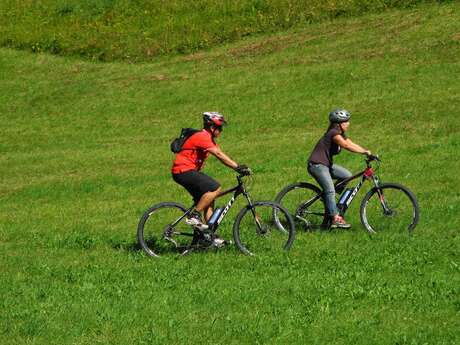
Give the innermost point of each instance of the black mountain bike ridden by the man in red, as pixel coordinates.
(163, 226)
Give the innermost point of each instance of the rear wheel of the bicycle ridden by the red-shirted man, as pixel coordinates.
(160, 226)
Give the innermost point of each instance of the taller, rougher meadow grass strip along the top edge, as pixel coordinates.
(108, 30)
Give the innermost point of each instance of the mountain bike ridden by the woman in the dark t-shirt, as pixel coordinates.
(386, 206)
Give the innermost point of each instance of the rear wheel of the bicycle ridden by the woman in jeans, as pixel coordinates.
(305, 204)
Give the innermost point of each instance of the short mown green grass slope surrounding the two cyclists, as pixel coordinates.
(84, 150)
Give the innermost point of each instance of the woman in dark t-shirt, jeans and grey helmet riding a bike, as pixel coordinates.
(321, 166)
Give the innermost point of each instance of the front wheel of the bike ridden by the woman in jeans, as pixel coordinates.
(390, 206)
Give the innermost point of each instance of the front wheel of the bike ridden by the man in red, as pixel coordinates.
(255, 231)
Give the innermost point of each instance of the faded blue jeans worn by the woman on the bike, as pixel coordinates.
(324, 175)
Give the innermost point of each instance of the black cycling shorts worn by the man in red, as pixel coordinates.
(196, 183)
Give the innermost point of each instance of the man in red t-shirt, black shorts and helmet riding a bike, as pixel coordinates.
(189, 161)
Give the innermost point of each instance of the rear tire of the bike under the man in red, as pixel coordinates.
(150, 231)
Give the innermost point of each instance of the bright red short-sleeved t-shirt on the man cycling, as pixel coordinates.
(194, 152)
